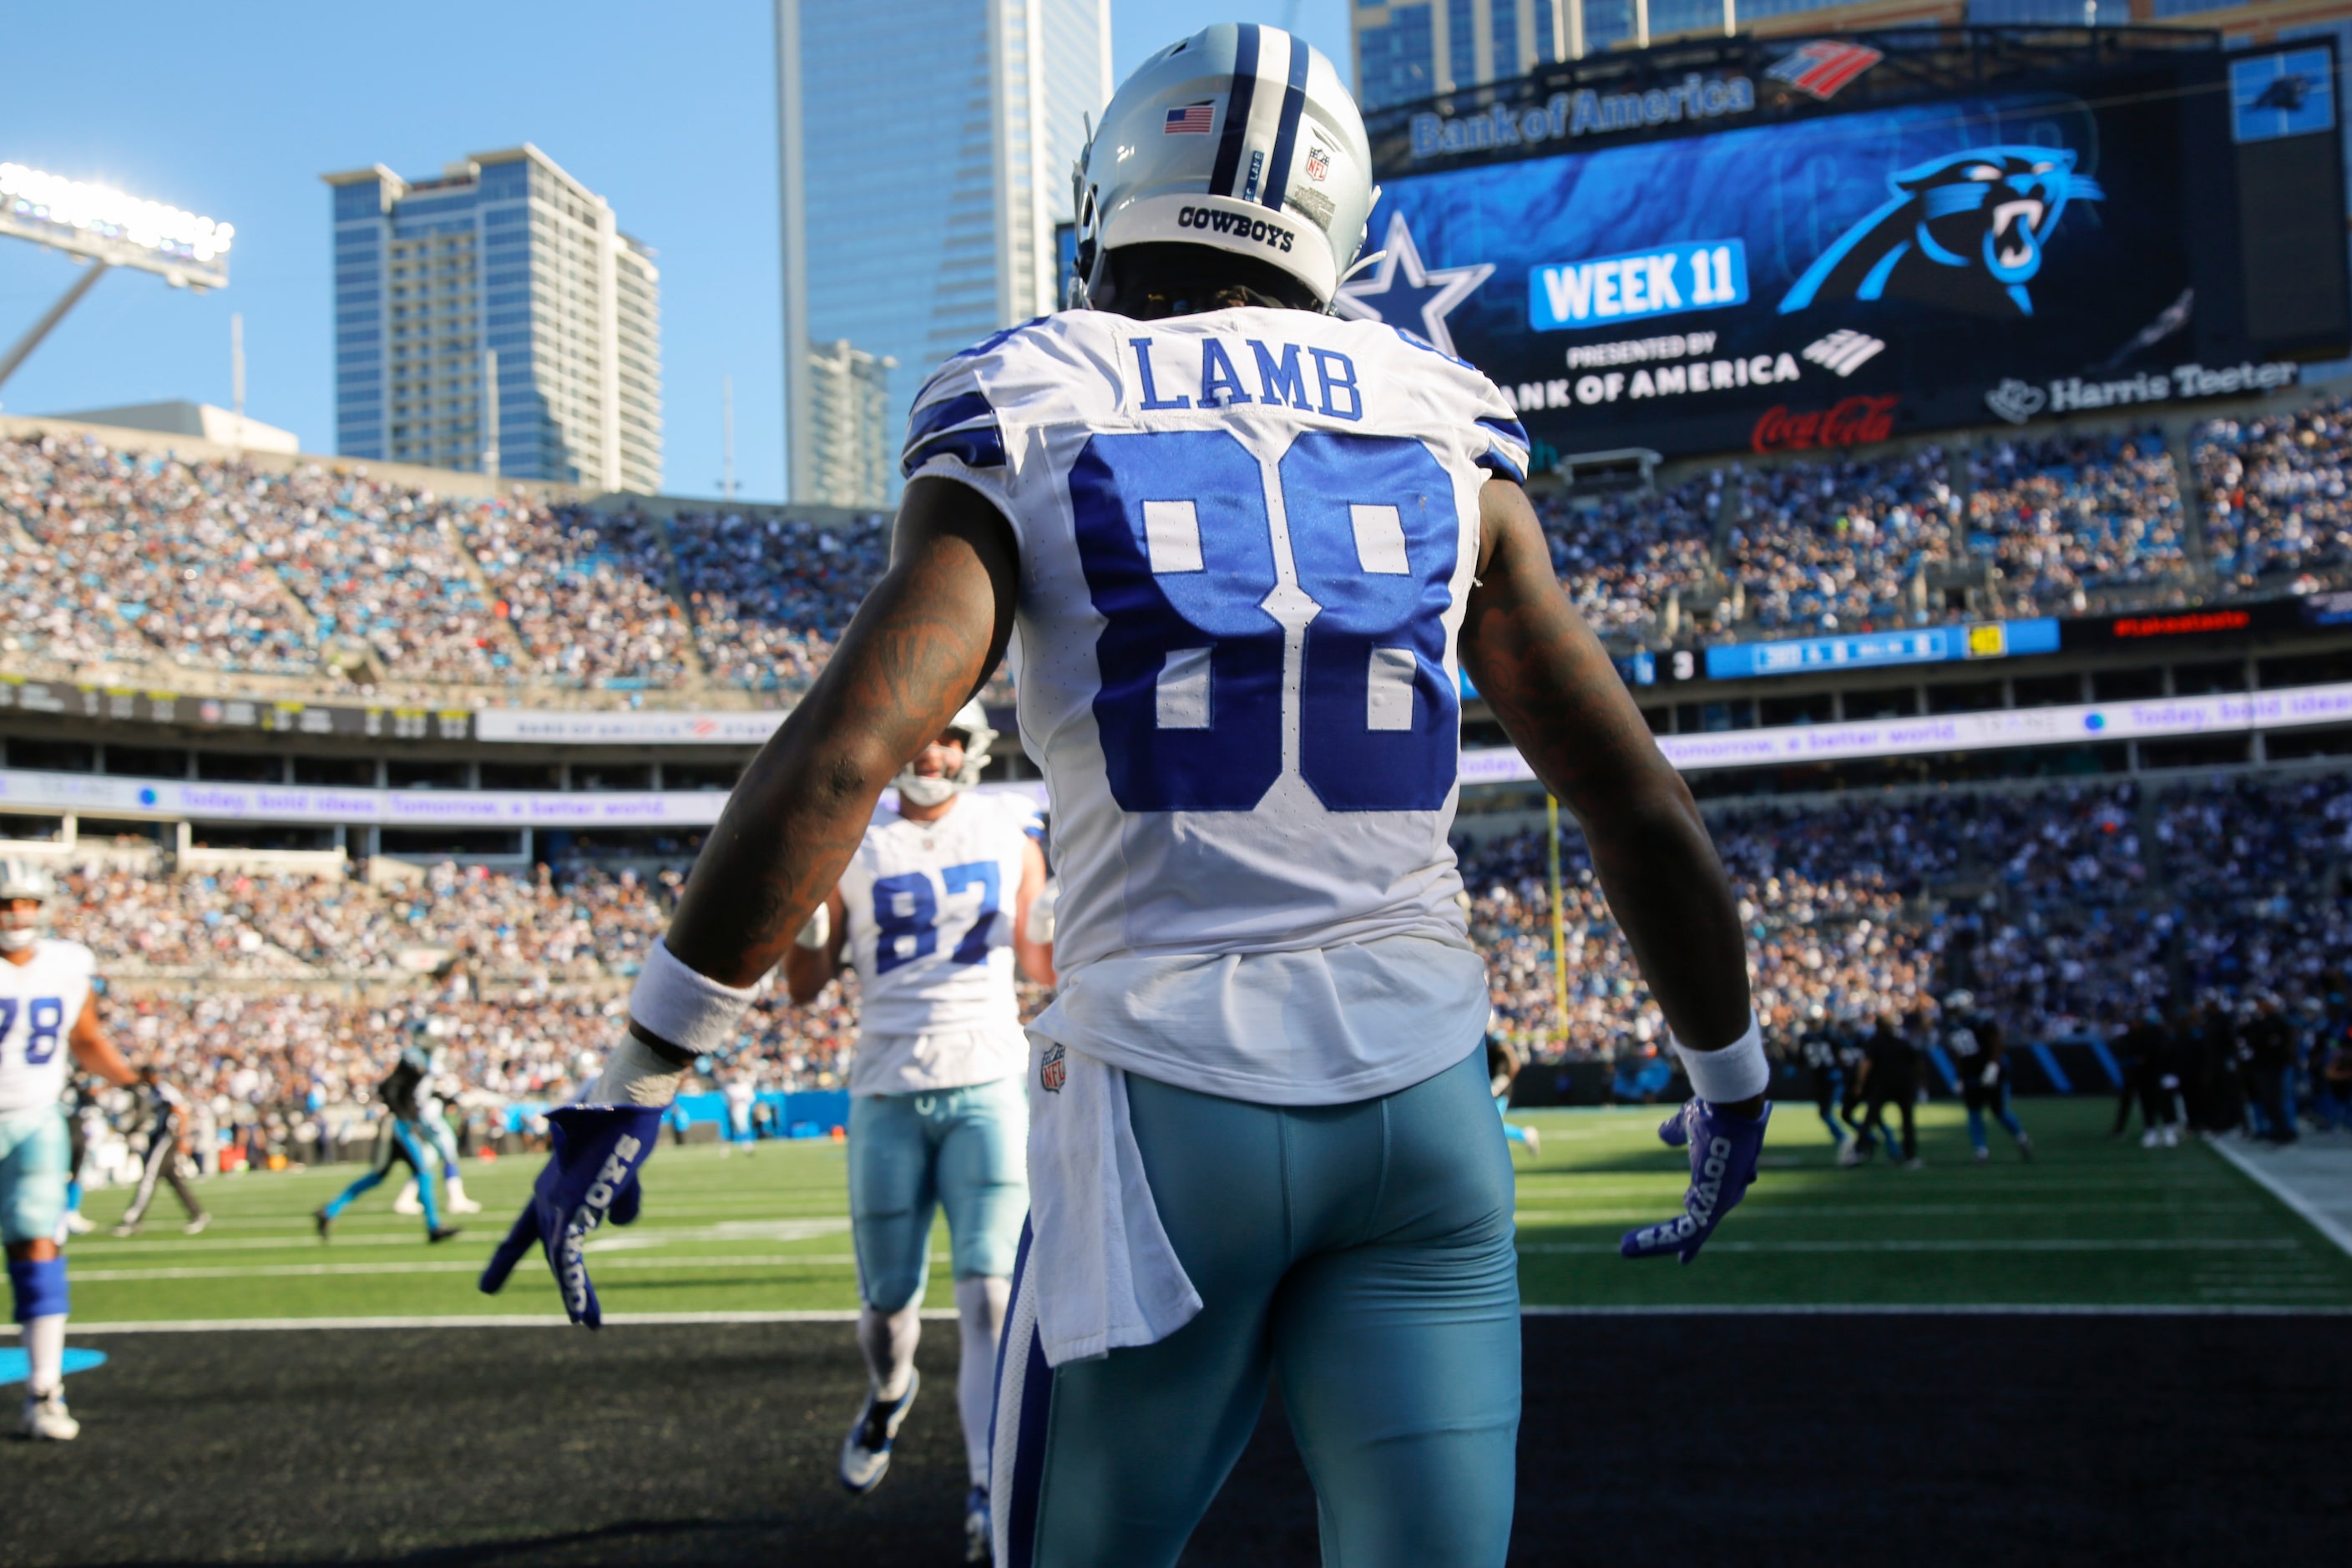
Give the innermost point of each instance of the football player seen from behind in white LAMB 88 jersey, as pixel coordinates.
(1243, 554)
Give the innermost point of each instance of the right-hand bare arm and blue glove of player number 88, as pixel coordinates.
(1563, 704)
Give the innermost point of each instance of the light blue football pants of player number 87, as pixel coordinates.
(963, 1151)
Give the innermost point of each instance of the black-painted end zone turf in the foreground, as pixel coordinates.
(1669, 1440)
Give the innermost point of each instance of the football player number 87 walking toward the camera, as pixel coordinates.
(935, 916)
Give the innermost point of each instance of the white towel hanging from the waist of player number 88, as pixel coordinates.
(1104, 1266)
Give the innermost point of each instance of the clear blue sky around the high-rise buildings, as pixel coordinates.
(236, 109)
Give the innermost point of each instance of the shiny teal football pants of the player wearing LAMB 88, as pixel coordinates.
(1363, 1254)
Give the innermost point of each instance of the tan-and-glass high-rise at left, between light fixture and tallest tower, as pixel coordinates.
(502, 269)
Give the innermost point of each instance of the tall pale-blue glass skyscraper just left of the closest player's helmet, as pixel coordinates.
(926, 156)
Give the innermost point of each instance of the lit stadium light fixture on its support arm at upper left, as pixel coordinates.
(102, 229)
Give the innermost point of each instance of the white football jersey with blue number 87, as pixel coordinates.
(930, 925)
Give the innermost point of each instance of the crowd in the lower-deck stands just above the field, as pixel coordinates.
(2069, 911)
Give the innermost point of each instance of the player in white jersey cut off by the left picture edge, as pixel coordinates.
(46, 1003)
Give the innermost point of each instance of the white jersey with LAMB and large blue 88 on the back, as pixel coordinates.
(1245, 549)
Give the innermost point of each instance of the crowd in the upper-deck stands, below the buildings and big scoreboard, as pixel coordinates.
(128, 558)
